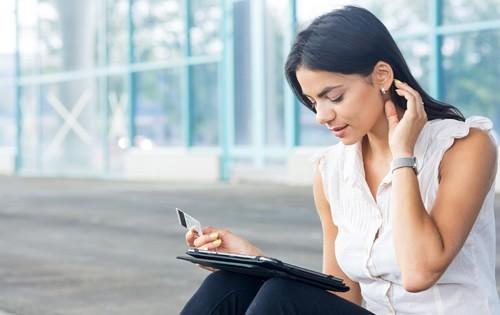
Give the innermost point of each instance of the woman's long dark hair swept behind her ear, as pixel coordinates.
(352, 40)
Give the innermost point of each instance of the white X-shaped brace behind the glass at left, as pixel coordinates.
(70, 119)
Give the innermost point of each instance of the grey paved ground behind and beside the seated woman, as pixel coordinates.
(95, 247)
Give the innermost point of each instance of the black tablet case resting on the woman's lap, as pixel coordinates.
(263, 267)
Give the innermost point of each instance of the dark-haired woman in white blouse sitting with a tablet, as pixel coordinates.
(407, 239)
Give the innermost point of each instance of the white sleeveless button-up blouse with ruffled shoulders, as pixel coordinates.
(468, 286)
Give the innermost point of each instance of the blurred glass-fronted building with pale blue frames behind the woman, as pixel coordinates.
(194, 89)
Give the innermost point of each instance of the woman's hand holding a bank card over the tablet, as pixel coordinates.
(221, 240)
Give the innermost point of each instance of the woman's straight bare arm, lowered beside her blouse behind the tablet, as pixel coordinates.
(330, 265)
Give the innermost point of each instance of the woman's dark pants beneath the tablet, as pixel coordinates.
(229, 293)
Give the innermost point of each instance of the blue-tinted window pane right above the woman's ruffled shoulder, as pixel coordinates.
(471, 71)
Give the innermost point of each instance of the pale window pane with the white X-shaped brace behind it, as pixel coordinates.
(61, 128)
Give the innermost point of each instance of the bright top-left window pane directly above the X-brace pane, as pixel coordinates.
(57, 36)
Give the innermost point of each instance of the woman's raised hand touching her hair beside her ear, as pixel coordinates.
(403, 134)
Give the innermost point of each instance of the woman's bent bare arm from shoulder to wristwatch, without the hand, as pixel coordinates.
(427, 243)
